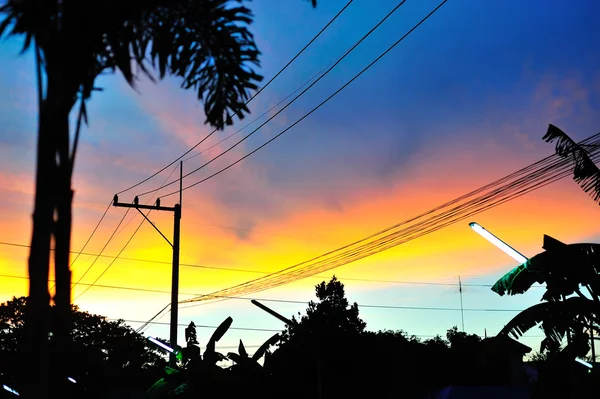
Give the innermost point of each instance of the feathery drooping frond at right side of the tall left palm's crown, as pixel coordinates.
(208, 46)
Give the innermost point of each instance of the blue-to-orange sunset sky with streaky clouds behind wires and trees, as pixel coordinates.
(462, 101)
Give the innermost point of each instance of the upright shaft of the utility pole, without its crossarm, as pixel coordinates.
(175, 277)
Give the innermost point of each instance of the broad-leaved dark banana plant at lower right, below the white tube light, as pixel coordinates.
(566, 270)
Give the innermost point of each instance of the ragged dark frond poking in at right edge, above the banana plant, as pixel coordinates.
(585, 173)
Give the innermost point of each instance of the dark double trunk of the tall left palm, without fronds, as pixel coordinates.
(52, 216)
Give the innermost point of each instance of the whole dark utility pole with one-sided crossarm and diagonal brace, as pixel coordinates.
(175, 245)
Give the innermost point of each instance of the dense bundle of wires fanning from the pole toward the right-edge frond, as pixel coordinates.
(513, 186)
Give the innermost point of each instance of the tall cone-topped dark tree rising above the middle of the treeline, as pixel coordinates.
(320, 346)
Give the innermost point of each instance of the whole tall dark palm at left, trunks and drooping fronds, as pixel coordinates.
(204, 43)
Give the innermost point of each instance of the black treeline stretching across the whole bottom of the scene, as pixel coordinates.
(327, 352)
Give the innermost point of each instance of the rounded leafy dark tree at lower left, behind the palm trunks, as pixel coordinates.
(100, 349)
